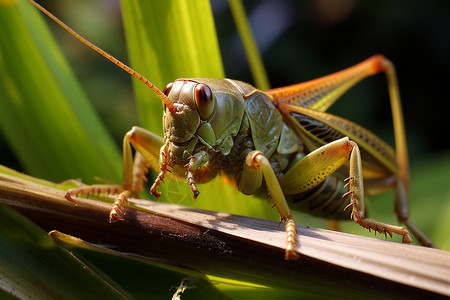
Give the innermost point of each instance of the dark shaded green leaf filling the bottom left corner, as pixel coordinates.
(33, 266)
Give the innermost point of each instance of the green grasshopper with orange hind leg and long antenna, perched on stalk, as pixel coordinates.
(281, 139)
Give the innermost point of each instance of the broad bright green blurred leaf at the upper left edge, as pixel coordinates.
(44, 115)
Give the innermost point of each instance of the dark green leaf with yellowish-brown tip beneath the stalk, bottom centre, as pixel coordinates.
(141, 276)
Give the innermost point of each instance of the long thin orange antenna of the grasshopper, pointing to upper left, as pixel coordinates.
(108, 56)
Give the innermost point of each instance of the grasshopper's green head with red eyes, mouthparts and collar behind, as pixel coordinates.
(205, 116)
